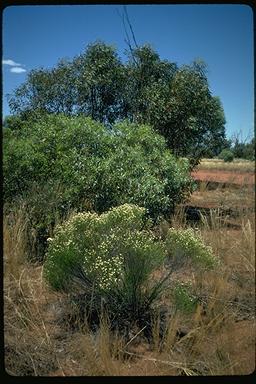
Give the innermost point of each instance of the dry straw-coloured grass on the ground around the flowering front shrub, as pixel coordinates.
(218, 338)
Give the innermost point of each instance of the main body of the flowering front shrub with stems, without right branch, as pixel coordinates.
(110, 257)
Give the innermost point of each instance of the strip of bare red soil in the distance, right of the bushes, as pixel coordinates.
(247, 178)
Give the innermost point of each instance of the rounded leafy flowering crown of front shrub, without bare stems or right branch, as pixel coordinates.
(109, 249)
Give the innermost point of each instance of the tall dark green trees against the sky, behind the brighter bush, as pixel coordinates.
(175, 101)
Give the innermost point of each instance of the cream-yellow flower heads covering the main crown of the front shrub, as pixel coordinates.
(99, 243)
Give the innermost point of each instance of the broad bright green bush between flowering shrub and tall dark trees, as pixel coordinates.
(74, 163)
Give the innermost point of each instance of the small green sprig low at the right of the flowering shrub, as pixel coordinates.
(184, 300)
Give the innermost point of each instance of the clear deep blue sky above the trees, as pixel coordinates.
(221, 35)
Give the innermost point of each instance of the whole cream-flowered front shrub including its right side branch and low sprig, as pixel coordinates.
(112, 256)
